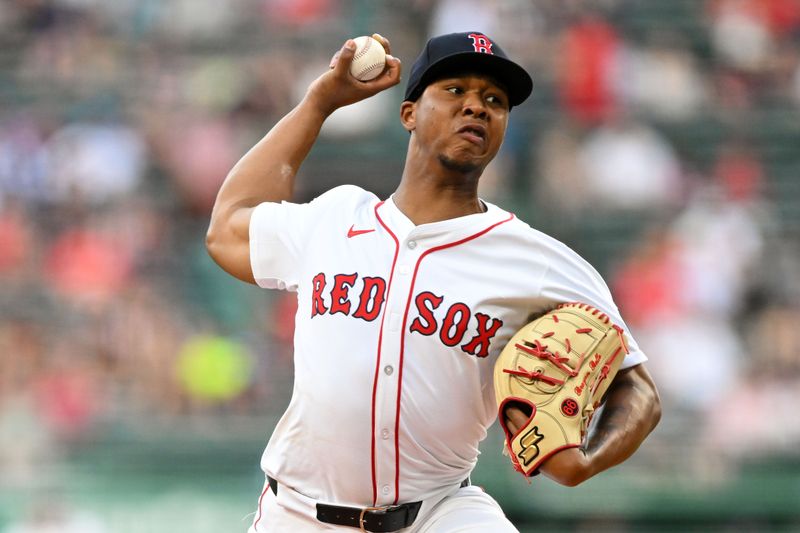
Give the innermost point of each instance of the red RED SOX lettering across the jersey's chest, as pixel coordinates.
(452, 330)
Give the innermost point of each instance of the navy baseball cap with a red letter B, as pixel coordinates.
(467, 51)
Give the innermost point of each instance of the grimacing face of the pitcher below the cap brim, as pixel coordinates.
(462, 121)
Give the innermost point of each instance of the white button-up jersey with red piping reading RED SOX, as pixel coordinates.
(397, 331)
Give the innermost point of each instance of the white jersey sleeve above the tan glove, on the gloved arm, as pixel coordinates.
(572, 279)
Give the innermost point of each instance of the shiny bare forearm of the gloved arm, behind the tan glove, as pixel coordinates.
(631, 411)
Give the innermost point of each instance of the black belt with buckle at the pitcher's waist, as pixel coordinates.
(377, 519)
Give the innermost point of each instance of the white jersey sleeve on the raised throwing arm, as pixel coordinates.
(279, 233)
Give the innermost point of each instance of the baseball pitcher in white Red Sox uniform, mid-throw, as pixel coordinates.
(405, 303)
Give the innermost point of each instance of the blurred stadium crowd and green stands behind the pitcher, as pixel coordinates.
(138, 384)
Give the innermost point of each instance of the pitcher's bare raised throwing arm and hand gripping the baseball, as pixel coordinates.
(266, 172)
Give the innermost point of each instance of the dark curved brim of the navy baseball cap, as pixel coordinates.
(514, 79)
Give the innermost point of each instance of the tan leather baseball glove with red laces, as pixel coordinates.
(556, 369)
